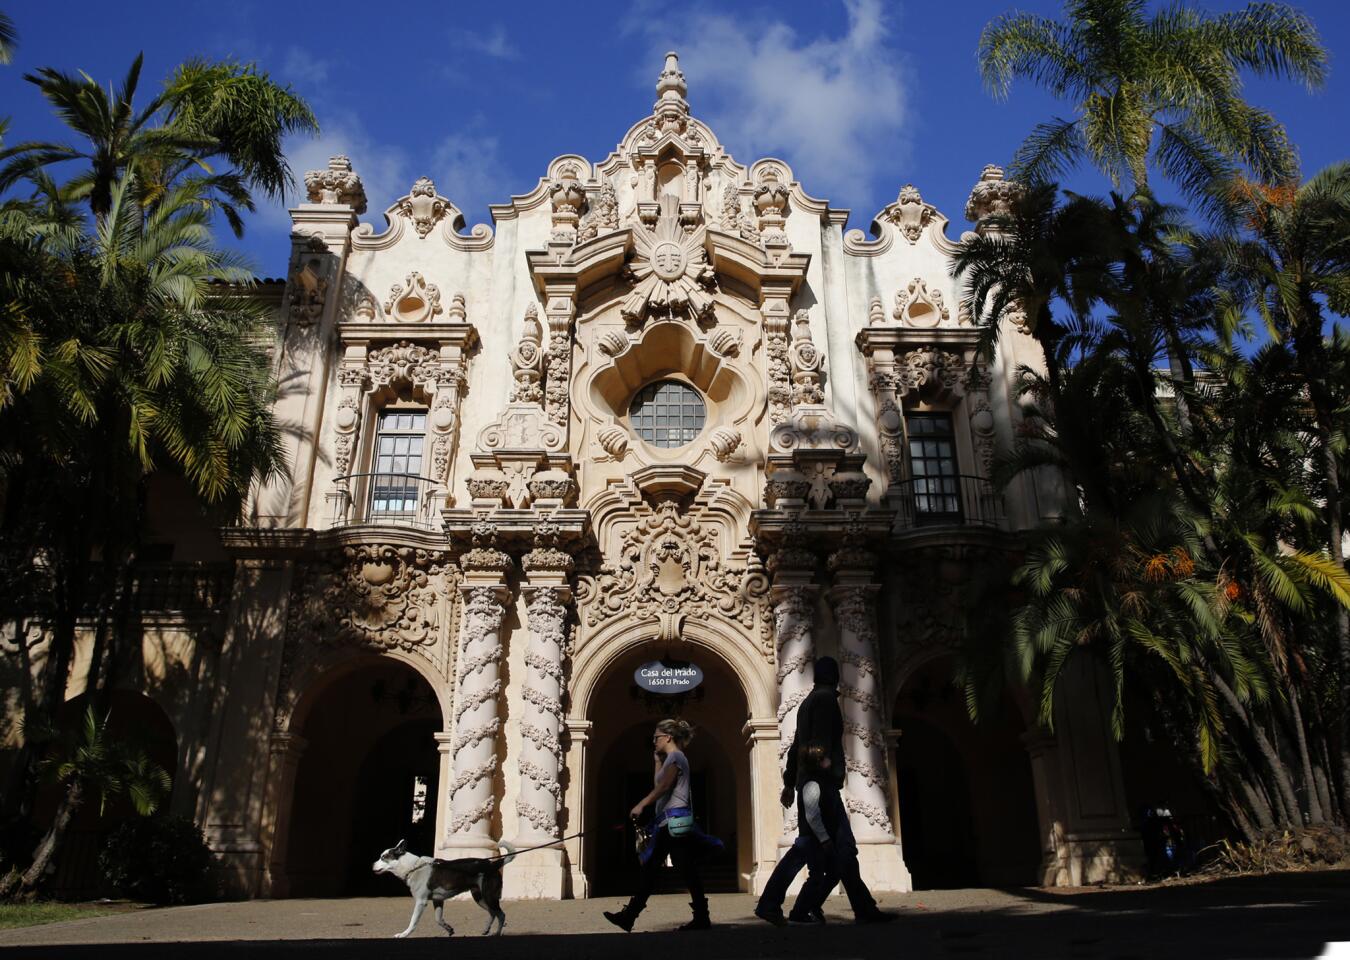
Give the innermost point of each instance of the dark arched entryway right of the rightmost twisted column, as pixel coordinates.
(966, 792)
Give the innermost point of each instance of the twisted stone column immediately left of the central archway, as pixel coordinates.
(542, 874)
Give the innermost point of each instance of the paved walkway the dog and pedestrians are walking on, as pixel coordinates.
(1290, 916)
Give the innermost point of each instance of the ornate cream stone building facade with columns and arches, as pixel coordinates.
(666, 408)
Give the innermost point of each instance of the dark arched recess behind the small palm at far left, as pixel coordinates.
(133, 720)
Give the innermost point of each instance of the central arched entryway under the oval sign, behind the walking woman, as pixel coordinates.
(620, 765)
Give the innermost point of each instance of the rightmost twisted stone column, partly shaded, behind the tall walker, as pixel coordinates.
(854, 597)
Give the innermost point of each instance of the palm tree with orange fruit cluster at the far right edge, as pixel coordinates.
(1293, 264)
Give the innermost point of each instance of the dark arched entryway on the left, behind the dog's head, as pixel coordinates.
(368, 778)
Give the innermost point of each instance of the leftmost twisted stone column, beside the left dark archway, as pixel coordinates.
(477, 724)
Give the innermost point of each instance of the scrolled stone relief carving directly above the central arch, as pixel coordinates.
(670, 568)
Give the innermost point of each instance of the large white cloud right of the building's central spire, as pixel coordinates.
(834, 107)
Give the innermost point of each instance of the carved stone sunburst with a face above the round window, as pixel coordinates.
(669, 271)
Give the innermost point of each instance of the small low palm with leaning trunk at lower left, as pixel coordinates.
(90, 764)
